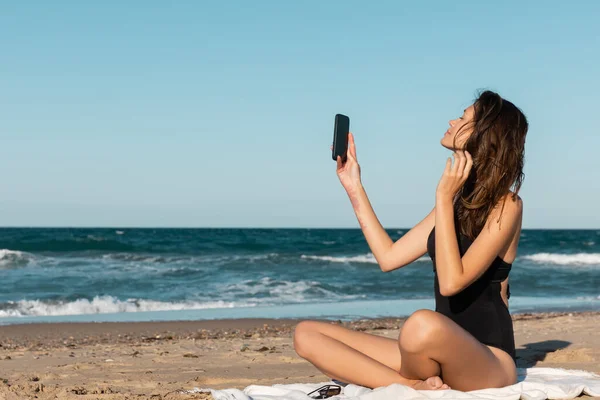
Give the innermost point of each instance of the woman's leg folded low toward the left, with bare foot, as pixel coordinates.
(355, 357)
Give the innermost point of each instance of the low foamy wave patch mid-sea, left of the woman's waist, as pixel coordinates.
(272, 290)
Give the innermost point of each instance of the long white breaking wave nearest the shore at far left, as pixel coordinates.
(104, 305)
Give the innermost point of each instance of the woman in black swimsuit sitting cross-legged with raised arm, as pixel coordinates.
(471, 235)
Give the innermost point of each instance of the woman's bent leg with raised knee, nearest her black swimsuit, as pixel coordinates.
(431, 343)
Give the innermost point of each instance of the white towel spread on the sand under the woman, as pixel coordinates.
(533, 384)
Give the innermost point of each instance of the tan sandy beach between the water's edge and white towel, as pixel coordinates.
(158, 360)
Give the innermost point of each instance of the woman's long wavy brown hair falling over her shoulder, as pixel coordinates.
(497, 146)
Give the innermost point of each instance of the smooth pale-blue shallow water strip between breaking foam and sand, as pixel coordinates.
(346, 310)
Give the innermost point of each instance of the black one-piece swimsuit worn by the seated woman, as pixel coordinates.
(479, 308)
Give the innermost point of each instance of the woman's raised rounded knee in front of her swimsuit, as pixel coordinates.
(420, 331)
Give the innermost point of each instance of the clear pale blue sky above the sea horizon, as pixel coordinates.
(220, 114)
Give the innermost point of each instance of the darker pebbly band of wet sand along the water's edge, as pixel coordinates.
(52, 334)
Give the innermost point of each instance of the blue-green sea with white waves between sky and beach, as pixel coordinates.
(125, 274)
